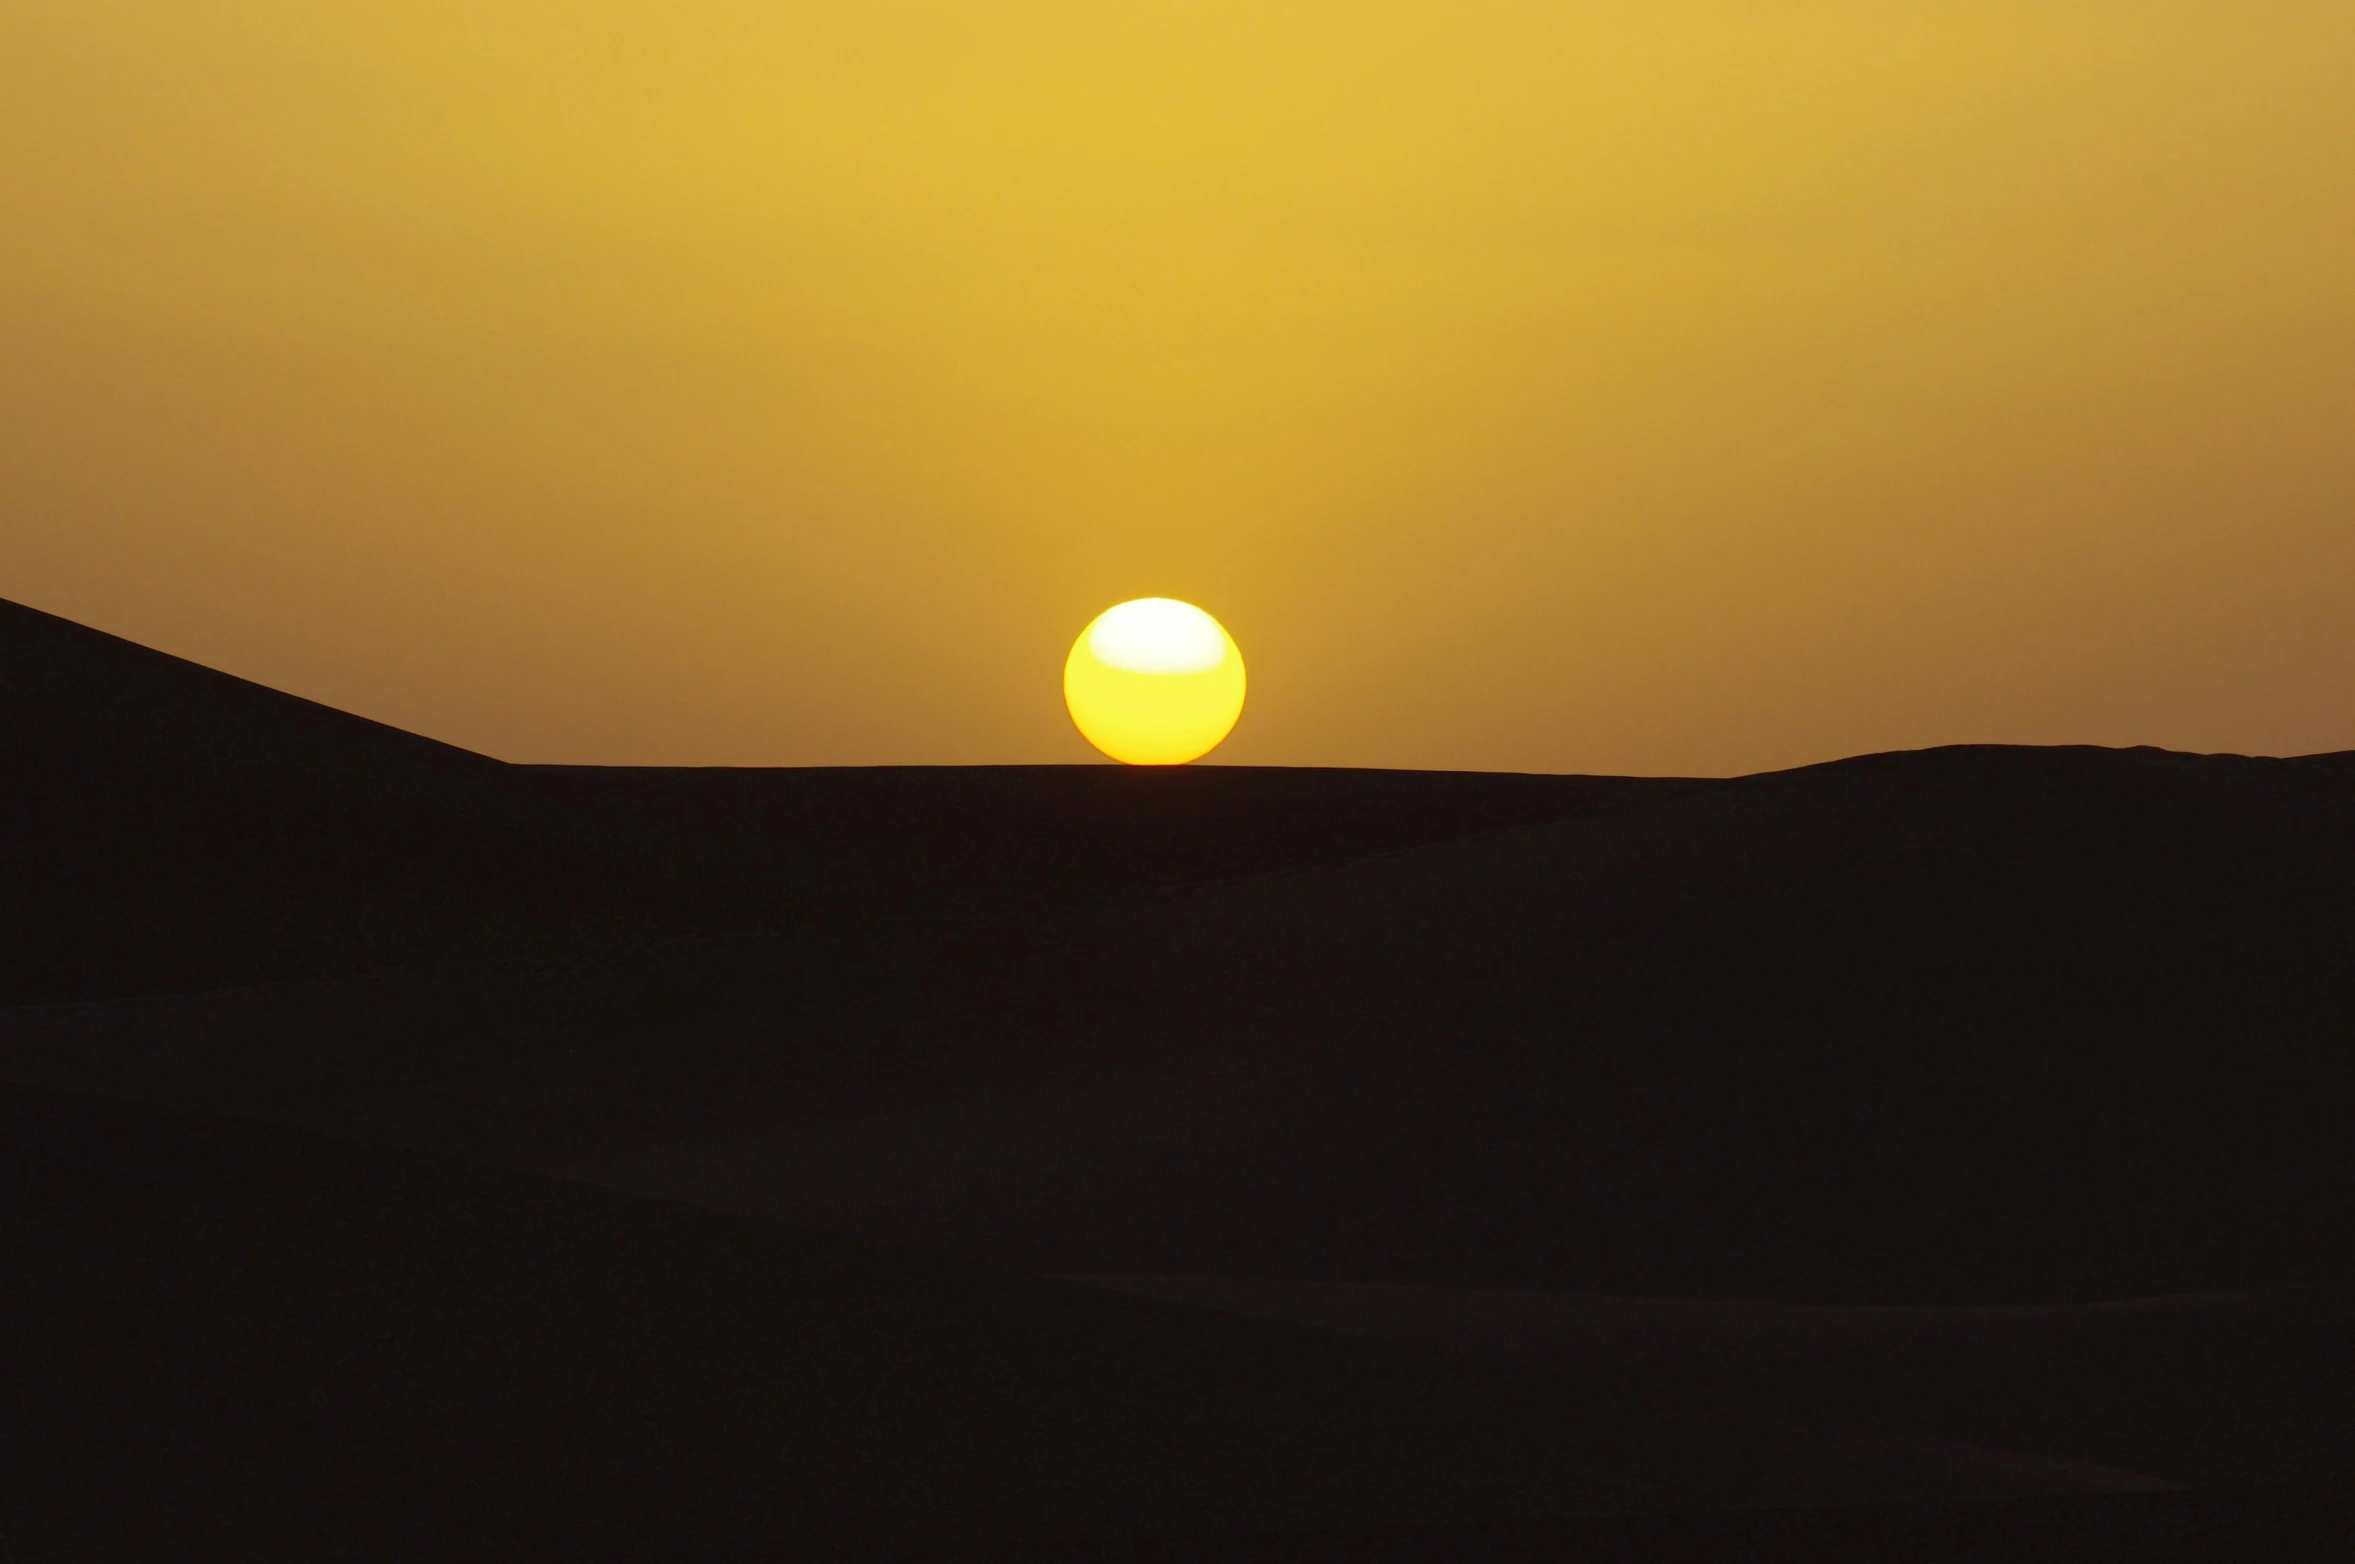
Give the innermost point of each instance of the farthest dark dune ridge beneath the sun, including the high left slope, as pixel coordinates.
(171, 828)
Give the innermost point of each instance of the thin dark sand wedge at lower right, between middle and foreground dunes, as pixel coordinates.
(2217, 1389)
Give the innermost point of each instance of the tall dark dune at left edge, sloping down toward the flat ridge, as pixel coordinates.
(171, 828)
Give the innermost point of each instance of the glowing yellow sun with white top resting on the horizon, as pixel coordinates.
(1155, 682)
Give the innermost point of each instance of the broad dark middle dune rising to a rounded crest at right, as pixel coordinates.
(1961, 1026)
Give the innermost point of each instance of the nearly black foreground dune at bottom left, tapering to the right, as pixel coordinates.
(237, 1337)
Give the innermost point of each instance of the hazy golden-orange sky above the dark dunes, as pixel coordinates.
(1527, 385)
